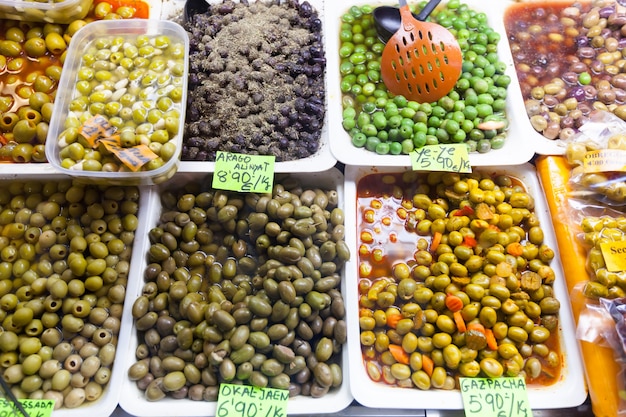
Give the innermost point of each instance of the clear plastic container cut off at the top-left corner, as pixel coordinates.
(64, 11)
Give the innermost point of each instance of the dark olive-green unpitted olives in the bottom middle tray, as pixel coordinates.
(242, 288)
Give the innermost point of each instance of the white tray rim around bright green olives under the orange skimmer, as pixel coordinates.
(518, 148)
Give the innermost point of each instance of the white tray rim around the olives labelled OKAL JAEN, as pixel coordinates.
(133, 400)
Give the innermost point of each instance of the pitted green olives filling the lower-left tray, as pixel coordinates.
(64, 259)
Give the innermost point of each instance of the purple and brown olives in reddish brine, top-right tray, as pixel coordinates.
(569, 62)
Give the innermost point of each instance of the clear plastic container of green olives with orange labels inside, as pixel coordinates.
(126, 91)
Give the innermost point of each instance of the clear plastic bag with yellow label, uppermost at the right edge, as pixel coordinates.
(598, 154)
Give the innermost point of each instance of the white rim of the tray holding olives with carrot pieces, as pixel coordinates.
(569, 391)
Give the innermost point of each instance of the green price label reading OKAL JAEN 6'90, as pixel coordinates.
(248, 401)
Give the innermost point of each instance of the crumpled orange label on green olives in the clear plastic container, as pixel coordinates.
(97, 130)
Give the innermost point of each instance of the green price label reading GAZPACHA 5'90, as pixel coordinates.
(495, 397)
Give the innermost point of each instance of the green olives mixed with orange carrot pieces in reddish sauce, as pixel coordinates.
(431, 242)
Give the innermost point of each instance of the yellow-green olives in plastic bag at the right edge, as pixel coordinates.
(603, 283)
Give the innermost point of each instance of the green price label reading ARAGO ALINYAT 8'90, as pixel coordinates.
(245, 173)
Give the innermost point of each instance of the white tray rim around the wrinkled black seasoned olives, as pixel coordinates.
(322, 160)
